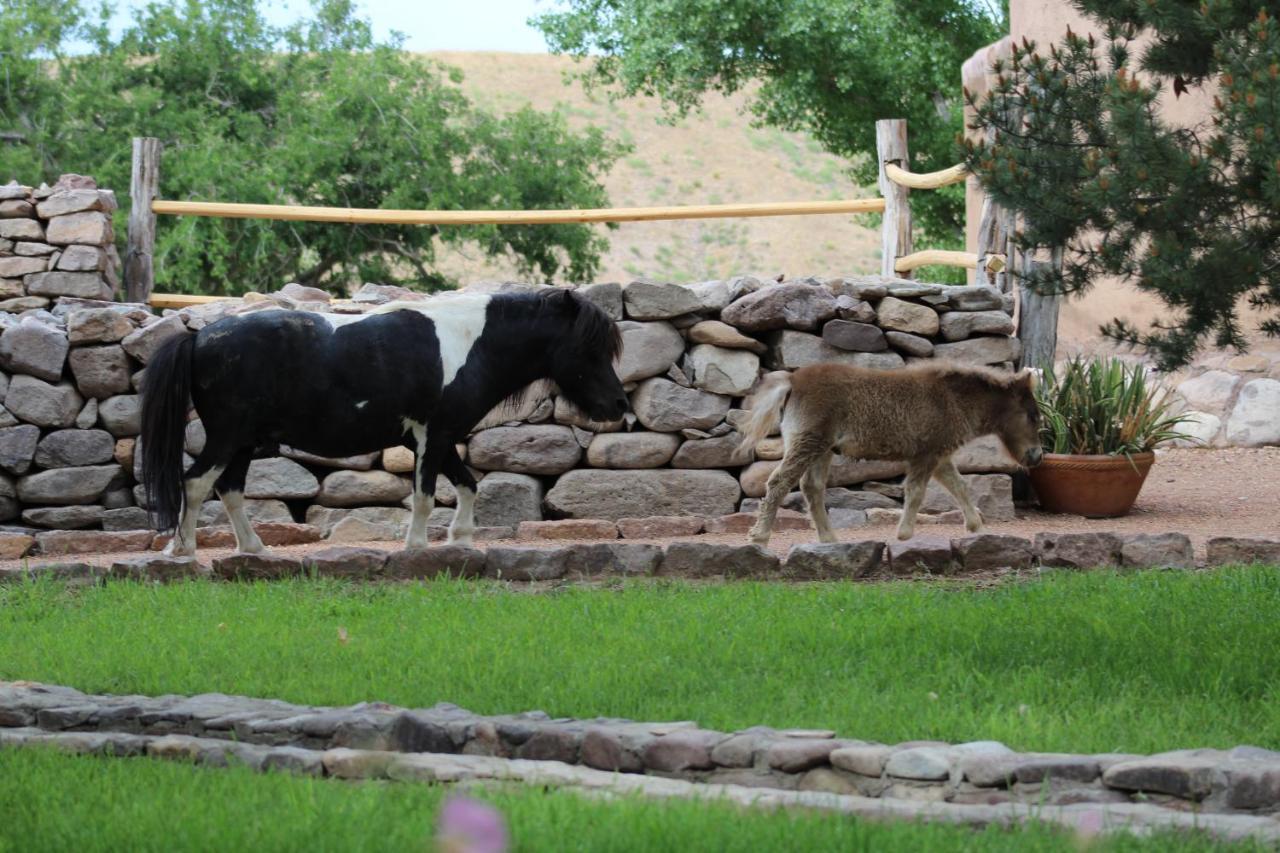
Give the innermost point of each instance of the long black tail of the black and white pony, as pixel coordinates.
(166, 398)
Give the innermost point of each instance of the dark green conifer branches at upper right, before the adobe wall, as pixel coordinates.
(1085, 156)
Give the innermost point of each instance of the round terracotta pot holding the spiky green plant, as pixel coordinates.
(1096, 487)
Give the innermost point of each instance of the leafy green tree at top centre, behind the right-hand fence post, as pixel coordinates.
(830, 69)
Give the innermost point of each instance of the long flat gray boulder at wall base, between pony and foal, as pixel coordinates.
(629, 495)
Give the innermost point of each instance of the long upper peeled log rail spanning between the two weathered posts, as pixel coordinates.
(299, 213)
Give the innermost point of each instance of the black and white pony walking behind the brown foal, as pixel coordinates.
(420, 375)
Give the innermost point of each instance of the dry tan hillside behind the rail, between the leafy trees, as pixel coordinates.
(712, 158)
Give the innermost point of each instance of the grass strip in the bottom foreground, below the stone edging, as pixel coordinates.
(56, 802)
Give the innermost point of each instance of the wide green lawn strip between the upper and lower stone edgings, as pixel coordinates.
(1073, 662)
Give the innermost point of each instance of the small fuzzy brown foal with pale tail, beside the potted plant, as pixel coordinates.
(920, 416)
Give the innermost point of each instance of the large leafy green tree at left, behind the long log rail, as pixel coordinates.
(314, 115)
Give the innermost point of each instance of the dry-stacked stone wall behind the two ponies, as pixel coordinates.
(692, 355)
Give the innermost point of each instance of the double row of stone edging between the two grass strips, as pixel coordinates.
(371, 741)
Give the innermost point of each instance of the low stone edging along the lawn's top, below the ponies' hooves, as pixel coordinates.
(926, 555)
